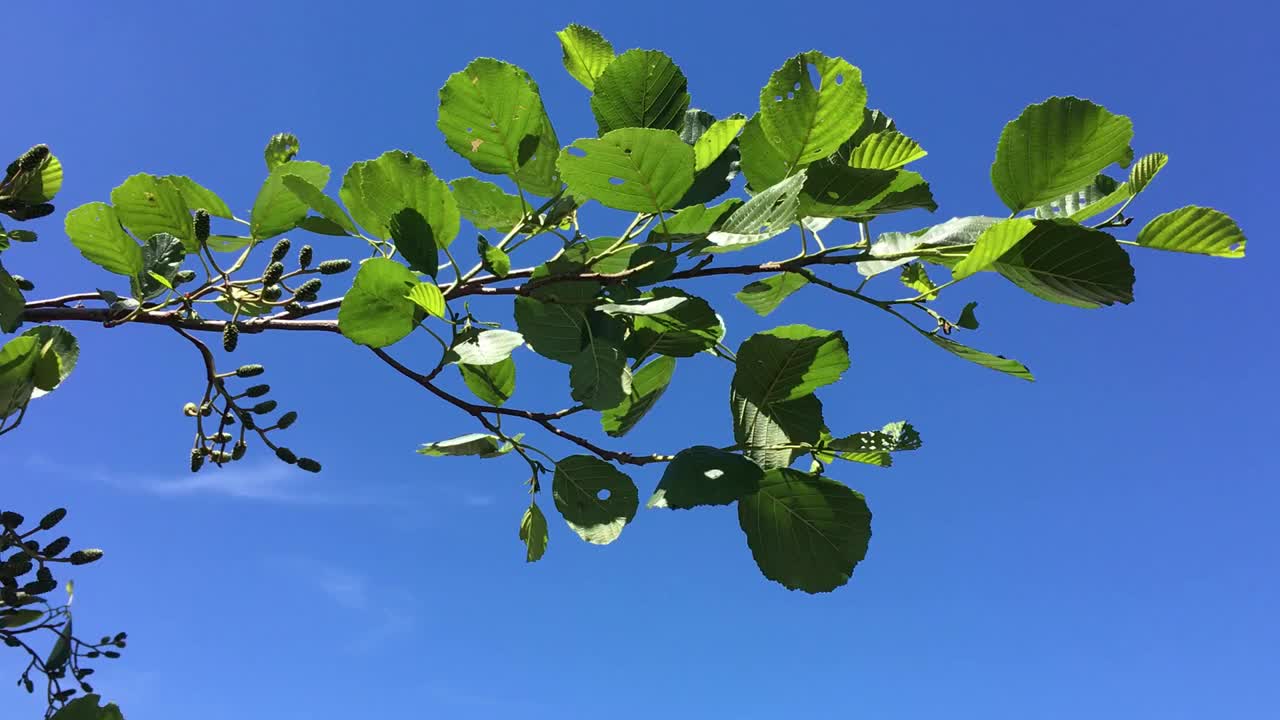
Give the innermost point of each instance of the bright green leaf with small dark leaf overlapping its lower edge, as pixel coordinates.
(376, 190)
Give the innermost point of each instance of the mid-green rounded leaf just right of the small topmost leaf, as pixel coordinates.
(641, 89)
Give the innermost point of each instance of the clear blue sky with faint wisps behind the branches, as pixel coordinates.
(1101, 544)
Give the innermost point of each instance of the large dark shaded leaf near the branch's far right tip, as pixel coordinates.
(1068, 263)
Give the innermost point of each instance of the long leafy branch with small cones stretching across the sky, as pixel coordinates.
(615, 309)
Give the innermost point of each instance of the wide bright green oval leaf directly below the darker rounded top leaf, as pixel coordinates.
(638, 170)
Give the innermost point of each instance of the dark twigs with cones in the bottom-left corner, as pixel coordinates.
(30, 621)
